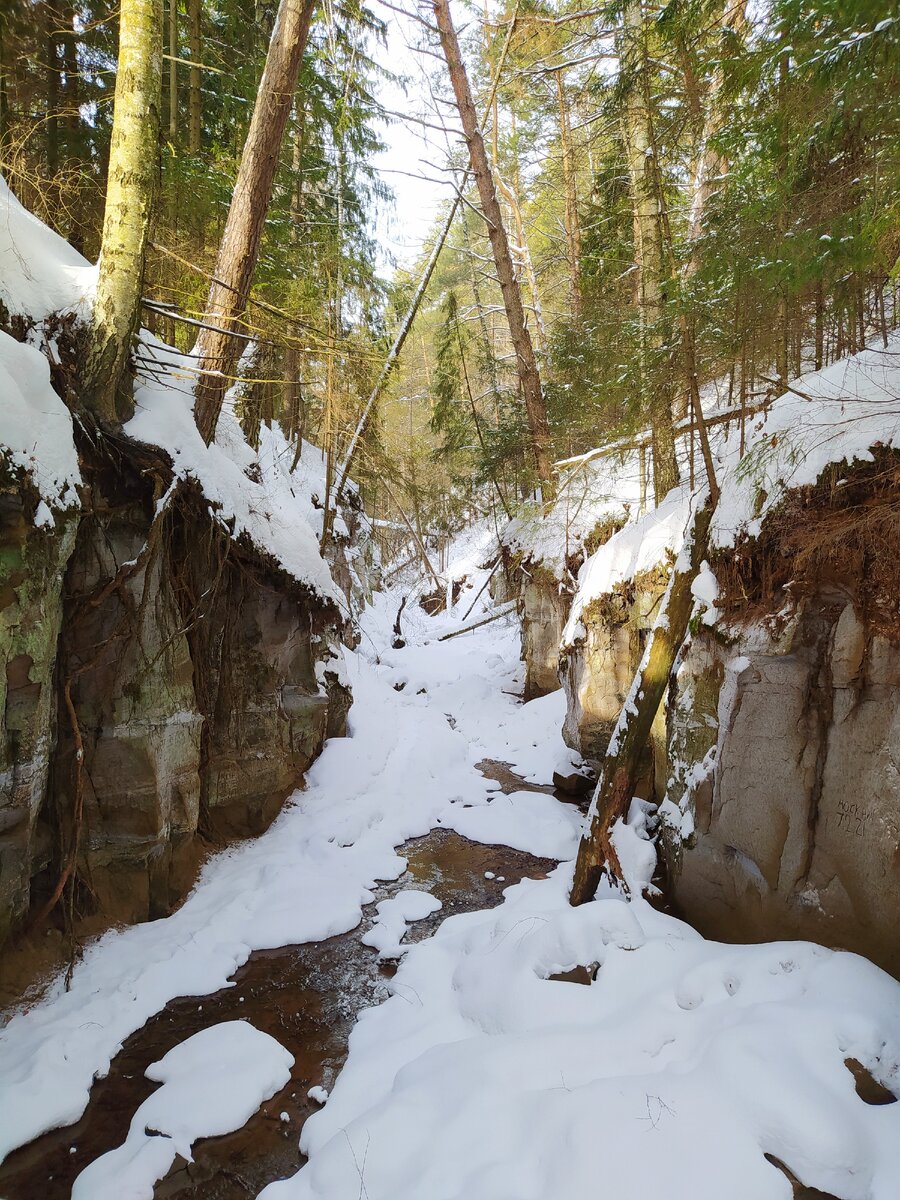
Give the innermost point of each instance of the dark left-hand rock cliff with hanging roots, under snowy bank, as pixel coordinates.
(165, 688)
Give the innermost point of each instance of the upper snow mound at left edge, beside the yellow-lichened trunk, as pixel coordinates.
(40, 273)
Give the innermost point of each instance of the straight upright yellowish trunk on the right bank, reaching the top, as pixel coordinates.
(637, 133)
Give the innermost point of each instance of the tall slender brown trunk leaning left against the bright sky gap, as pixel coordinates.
(526, 362)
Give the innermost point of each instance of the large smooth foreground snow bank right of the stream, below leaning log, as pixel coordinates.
(675, 1073)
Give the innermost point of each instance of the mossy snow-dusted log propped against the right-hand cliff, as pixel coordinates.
(616, 787)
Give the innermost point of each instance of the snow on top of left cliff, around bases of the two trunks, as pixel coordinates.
(253, 493)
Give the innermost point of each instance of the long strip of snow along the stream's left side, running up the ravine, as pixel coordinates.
(403, 772)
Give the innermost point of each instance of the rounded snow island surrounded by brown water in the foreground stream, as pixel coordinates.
(212, 1084)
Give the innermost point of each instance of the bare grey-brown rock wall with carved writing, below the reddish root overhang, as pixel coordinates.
(796, 812)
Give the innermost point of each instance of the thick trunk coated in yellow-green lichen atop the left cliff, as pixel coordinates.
(131, 185)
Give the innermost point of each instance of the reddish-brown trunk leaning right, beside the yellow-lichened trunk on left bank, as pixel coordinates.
(218, 351)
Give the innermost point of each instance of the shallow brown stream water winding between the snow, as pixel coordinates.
(308, 998)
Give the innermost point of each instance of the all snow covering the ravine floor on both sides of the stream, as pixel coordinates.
(675, 1073)
